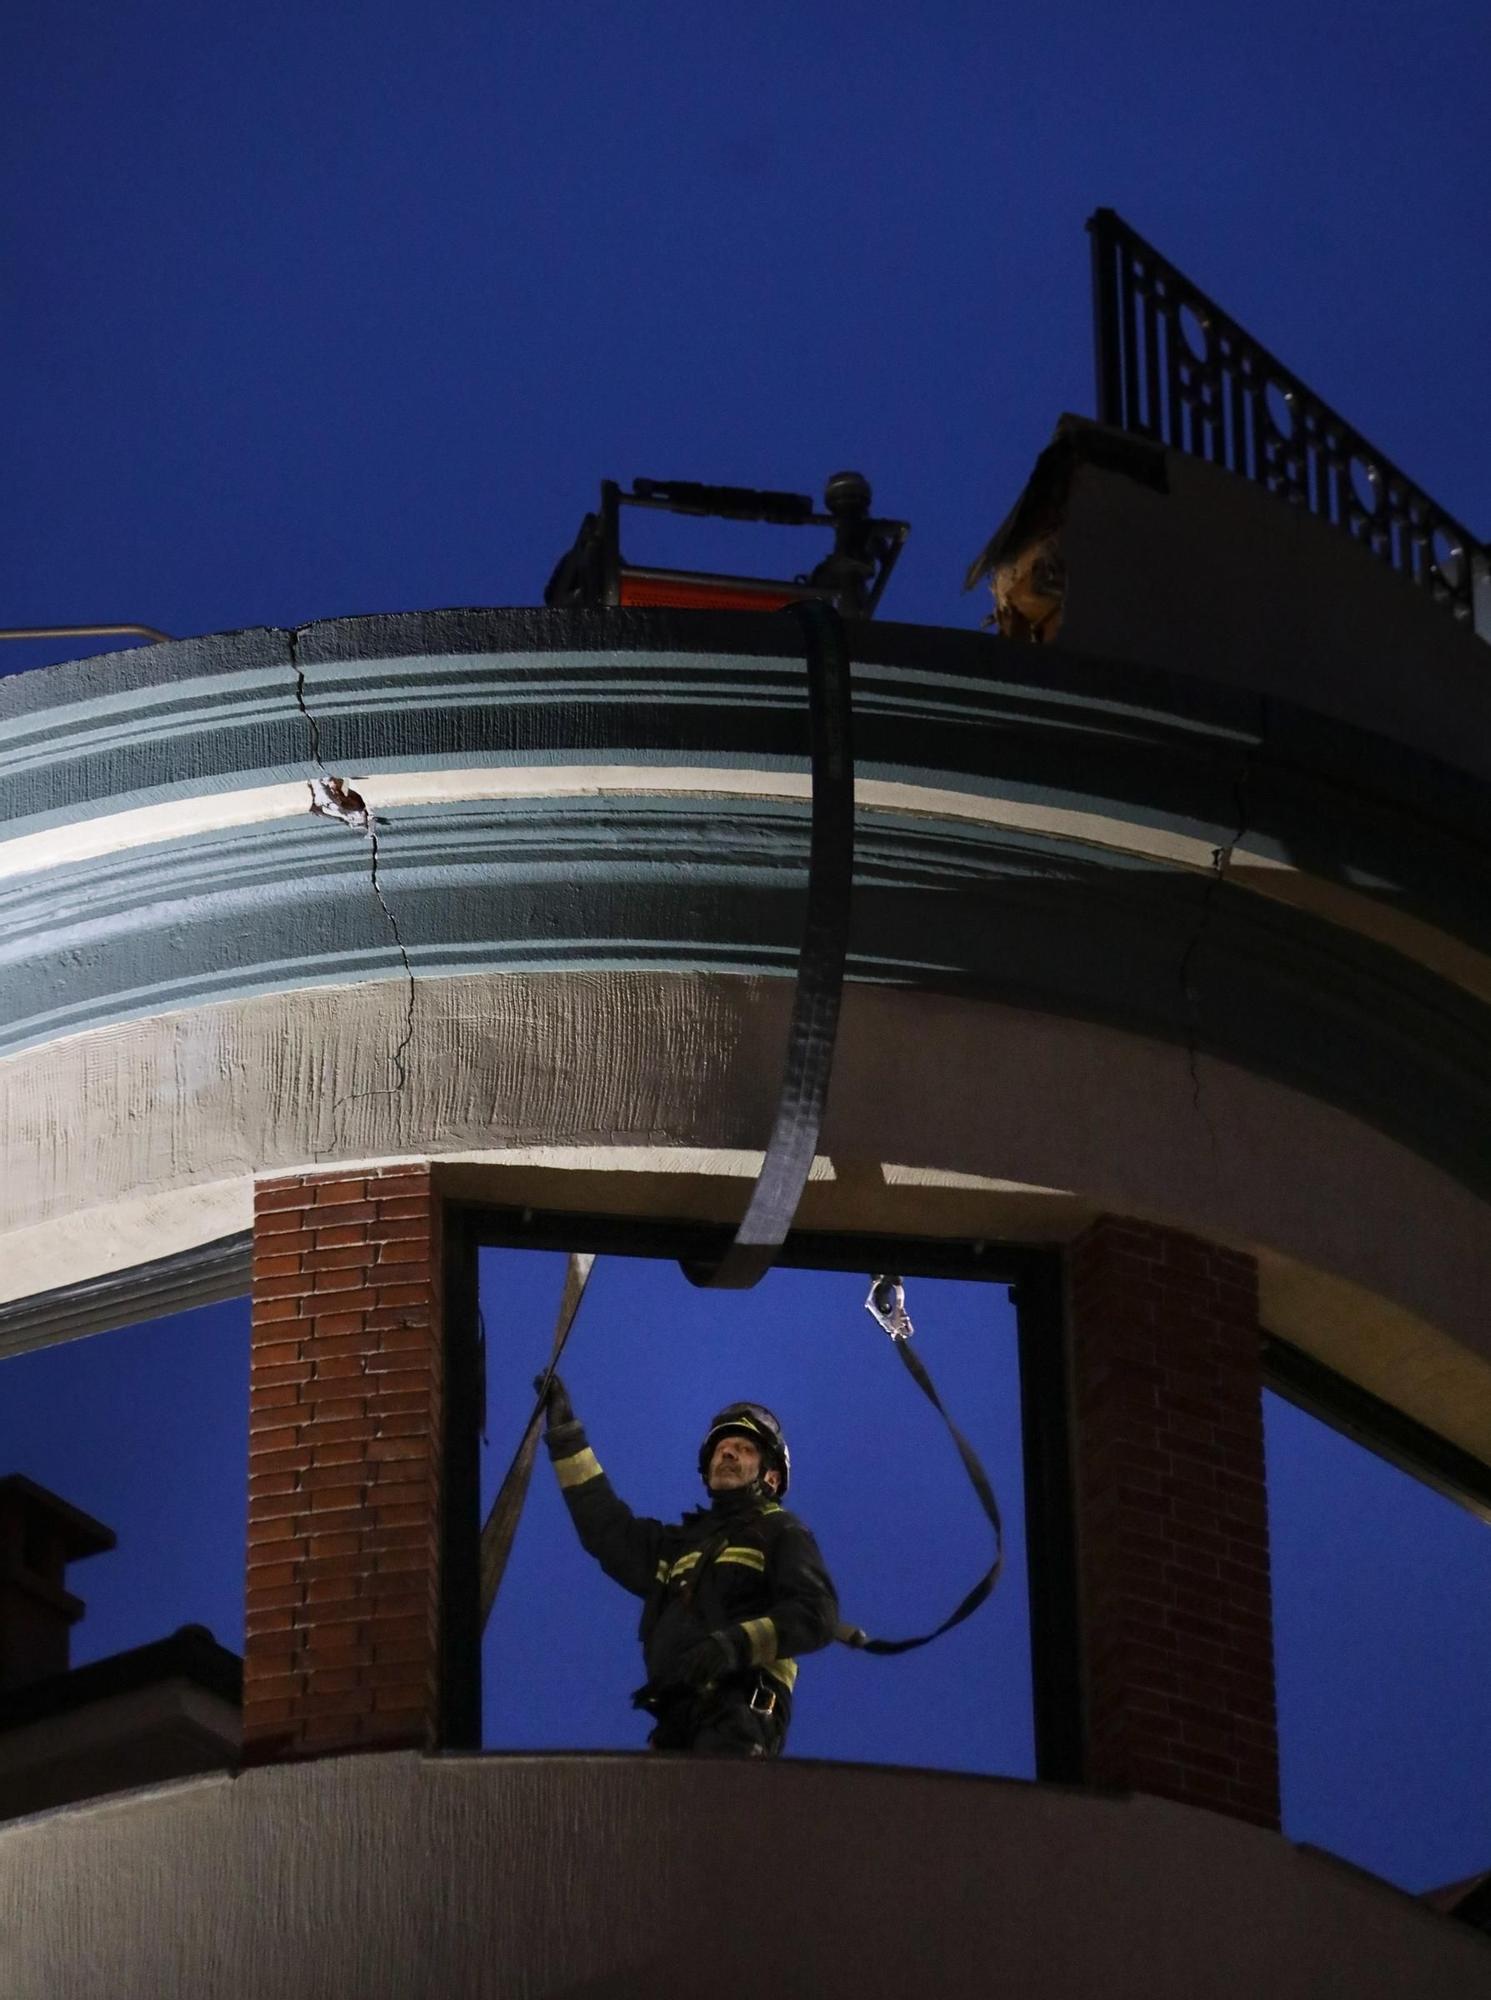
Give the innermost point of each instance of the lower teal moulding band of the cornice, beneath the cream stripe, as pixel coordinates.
(976, 911)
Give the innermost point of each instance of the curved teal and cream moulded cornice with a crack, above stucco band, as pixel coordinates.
(565, 791)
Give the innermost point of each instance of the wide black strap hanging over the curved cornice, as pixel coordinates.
(820, 967)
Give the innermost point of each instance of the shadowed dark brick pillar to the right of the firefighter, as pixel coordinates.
(1172, 1519)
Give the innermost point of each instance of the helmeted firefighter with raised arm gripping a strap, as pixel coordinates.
(733, 1595)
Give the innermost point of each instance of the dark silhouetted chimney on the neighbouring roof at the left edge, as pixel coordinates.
(41, 1535)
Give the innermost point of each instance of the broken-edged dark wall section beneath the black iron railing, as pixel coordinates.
(1128, 551)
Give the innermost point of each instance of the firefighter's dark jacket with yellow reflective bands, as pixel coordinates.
(741, 1567)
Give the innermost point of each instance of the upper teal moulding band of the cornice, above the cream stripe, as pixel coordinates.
(1092, 743)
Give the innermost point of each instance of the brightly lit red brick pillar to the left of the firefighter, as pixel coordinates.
(347, 1373)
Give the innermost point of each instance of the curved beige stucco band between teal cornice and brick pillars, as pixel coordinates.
(647, 1093)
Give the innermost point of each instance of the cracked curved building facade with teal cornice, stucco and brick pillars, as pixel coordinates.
(1168, 979)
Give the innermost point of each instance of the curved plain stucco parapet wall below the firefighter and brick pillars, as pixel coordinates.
(395, 1879)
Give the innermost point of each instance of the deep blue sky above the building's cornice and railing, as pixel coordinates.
(333, 309)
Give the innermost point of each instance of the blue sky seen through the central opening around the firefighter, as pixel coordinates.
(874, 1477)
